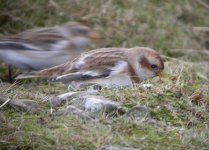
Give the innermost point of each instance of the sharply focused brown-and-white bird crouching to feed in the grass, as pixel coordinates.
(108, 67)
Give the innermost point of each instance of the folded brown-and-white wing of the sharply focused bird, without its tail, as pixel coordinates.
(99, 63)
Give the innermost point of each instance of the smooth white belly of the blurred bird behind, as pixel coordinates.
(36, 59)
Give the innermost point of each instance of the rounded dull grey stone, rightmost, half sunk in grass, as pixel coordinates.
(138, 114)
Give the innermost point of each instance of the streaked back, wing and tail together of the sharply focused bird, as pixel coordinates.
(95, 63)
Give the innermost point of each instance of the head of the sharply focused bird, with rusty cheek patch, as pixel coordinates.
(146, 62)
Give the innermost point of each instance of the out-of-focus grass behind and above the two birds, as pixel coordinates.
(174, 28)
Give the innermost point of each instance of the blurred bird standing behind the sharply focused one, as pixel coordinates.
(41, 48)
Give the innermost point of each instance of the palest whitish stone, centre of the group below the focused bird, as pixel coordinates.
(94, 104)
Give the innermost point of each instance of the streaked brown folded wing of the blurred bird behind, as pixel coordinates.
(36, 39)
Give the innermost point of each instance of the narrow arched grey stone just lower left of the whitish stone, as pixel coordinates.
(74, 111)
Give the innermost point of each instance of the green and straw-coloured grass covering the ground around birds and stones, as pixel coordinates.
(179, 100)
